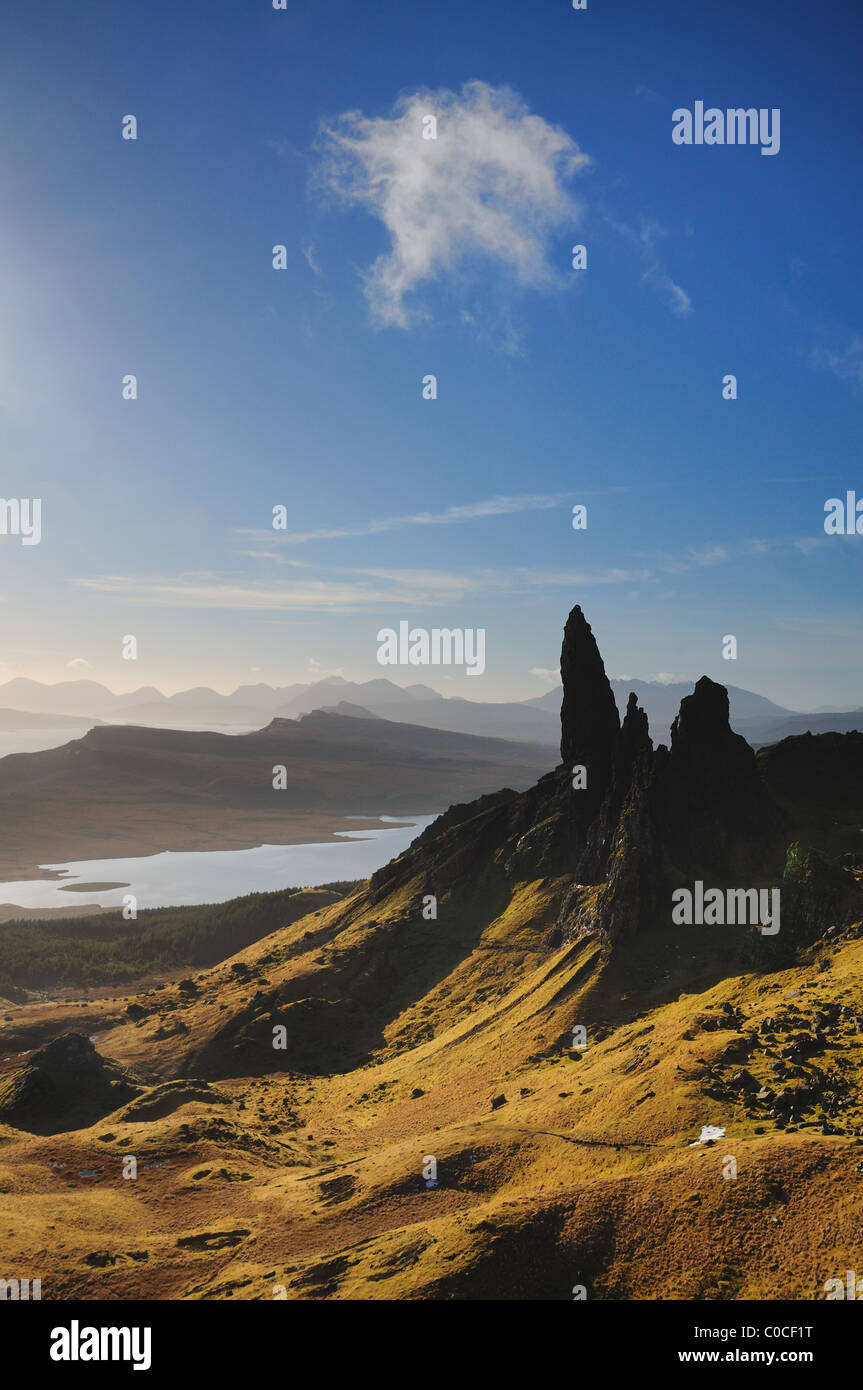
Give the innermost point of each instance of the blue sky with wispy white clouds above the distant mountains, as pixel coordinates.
(304, 387)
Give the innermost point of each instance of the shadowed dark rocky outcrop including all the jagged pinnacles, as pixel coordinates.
(648, 822)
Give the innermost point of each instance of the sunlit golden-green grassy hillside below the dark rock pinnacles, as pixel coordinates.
(451, 1040)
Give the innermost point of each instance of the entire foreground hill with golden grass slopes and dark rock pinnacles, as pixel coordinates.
(297, 1171)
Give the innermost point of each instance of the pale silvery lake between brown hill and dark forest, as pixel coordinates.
(213, 876)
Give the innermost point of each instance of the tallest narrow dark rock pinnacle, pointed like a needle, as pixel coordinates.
(590, 722)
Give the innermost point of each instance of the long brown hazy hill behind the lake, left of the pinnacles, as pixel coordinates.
(124, 792)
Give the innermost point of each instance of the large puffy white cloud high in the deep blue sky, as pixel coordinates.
(493, 184)
